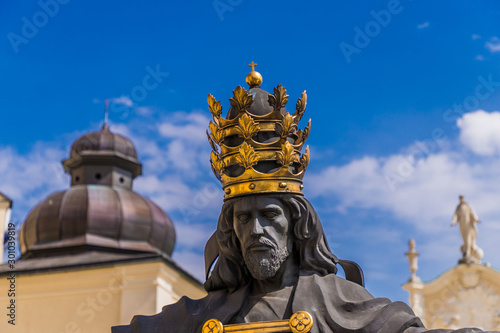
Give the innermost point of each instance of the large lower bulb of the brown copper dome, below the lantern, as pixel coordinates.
(96, 217)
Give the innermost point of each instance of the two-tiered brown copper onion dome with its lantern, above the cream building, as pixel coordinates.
(100, 211)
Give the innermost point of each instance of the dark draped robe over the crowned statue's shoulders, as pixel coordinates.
(336, 305)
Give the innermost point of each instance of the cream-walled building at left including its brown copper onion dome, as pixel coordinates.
(97, 254)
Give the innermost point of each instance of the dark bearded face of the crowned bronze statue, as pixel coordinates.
(262, 226)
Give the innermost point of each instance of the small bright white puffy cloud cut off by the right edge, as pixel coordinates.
(480, 132)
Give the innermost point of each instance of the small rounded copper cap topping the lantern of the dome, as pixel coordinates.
(103, 140)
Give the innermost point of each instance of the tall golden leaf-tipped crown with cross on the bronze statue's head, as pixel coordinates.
(259, 142)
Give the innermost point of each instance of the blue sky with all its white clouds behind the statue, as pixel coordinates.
(402, 122)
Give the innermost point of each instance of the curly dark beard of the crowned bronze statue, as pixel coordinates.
(264, 265)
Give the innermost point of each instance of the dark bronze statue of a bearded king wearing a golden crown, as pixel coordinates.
(268, 264)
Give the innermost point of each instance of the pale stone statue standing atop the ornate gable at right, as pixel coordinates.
(467, 219)
